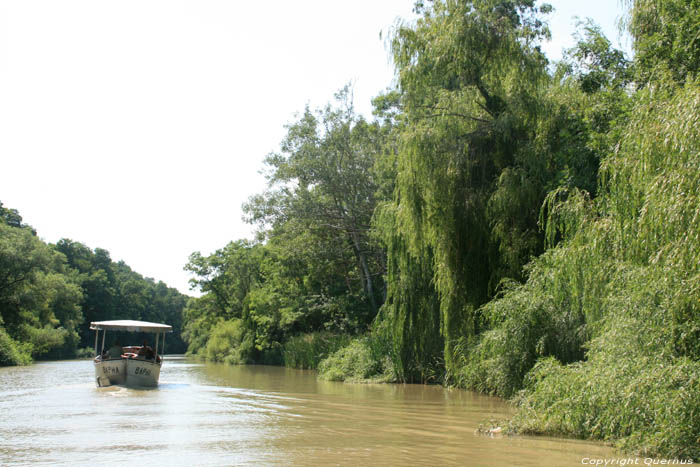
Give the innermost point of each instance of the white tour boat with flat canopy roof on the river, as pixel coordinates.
(132, 366)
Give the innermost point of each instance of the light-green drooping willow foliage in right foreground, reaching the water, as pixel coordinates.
(623, 288)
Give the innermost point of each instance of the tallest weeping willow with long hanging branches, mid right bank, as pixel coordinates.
(470, 179)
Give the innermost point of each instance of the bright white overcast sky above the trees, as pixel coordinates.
(139, 126)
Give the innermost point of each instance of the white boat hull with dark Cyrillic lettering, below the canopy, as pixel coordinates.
(130, 372)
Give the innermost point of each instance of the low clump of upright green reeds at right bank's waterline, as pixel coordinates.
(308, 350)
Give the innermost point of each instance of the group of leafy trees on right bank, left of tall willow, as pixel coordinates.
(317, 268)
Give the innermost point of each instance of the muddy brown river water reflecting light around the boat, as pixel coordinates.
(207, 414)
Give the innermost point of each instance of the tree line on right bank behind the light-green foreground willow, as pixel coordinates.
(405, 226)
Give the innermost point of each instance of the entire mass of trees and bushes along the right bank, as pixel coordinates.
(506, 224)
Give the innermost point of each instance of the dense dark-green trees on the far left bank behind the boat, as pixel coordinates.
(49, 294)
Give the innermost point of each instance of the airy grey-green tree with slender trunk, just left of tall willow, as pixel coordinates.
(322, 182)
